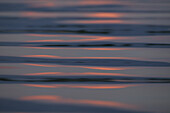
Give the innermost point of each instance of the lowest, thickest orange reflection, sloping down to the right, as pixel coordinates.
(58, 99)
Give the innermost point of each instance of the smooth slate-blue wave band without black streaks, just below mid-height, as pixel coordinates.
(84, 62)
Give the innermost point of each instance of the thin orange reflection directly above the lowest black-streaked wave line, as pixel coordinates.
(85, 73)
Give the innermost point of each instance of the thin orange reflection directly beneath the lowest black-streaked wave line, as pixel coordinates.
(103, 86)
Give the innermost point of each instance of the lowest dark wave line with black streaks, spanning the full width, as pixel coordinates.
(90, 79)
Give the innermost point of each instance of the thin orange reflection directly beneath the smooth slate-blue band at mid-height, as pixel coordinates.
(88, 67)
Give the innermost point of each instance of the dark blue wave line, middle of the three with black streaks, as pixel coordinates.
(85, 44)
